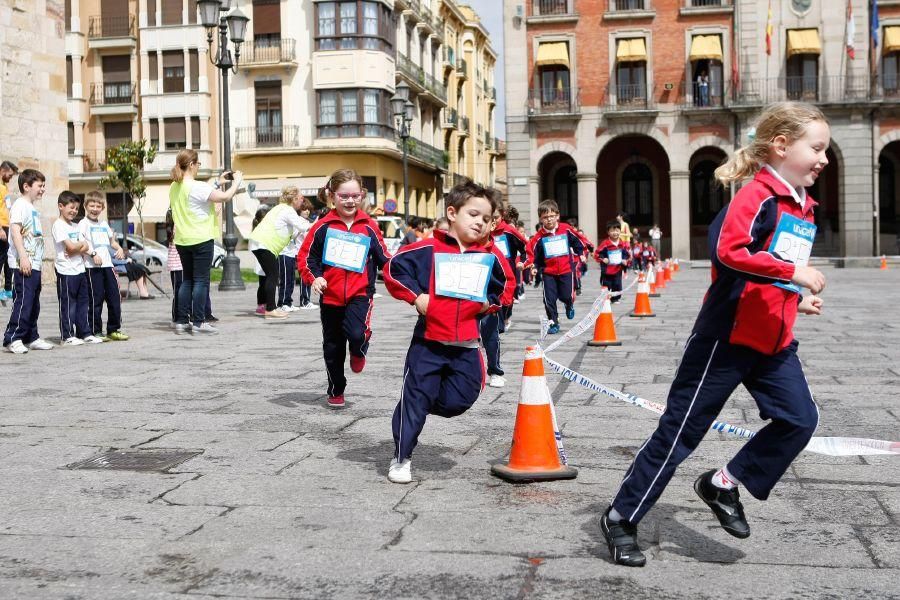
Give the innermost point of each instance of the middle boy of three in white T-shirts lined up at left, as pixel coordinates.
(71, 282)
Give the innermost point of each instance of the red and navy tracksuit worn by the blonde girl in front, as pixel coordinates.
(743, 335)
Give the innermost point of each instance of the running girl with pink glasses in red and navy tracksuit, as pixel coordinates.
(339, 258)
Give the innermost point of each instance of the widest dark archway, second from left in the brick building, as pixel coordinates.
(633, 177)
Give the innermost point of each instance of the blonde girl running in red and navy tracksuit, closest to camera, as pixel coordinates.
(760, 245)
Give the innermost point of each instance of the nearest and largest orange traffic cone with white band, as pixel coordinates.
(534, 455)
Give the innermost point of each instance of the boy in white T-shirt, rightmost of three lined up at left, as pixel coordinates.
(103, 283)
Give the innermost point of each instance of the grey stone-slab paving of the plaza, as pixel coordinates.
(288, 499)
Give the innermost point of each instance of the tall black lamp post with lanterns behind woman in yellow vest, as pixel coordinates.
(218, 13)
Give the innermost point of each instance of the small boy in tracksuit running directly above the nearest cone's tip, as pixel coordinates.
(550, 251)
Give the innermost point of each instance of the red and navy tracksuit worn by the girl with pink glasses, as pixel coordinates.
(346, 304)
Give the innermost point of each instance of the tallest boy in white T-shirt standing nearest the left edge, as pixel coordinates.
(26, 252)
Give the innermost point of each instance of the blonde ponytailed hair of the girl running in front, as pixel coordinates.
(788, 119)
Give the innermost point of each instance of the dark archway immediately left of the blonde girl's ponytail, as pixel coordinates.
(707, 197)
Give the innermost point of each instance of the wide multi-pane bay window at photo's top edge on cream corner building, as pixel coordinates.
(352, 25)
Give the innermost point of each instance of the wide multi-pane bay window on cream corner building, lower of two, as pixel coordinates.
(354, 113)
